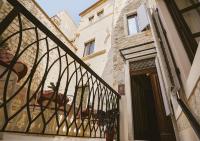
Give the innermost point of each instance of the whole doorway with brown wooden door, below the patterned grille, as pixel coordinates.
(149, 119)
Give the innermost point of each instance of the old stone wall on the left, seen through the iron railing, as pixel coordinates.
(29, 58)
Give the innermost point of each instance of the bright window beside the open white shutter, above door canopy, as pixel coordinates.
(132, 24)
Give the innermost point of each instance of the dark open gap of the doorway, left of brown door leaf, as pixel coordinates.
(144, 114)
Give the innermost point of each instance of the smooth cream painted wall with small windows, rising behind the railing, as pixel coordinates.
(100, 30)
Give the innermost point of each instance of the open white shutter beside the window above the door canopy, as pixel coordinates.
(143, 20)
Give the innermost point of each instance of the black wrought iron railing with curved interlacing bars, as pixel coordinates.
(45, 88)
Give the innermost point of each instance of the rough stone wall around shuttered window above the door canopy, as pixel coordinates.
(121, 40)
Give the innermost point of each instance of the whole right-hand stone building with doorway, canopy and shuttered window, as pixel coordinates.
(176, 51)
